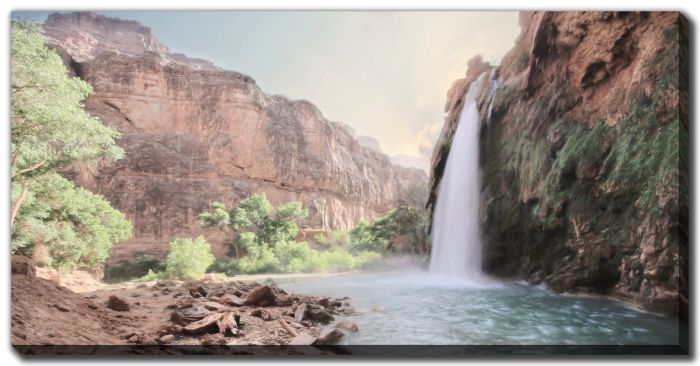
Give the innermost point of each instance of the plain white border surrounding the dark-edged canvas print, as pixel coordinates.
(9, 357)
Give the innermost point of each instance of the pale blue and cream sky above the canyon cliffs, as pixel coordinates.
(385, 74)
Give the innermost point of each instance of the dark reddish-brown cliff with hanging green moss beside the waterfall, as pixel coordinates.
(583, 149)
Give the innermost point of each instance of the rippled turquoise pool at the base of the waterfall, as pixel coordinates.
(417, 308)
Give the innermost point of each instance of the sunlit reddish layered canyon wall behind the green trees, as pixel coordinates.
(194, 133)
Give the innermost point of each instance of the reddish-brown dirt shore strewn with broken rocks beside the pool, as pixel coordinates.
(173, 315)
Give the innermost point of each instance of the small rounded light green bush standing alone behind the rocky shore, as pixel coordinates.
(188, 259)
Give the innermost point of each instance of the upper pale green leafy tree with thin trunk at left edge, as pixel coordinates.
(50, 129)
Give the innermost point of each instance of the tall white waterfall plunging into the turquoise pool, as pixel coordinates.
(455, 234)
